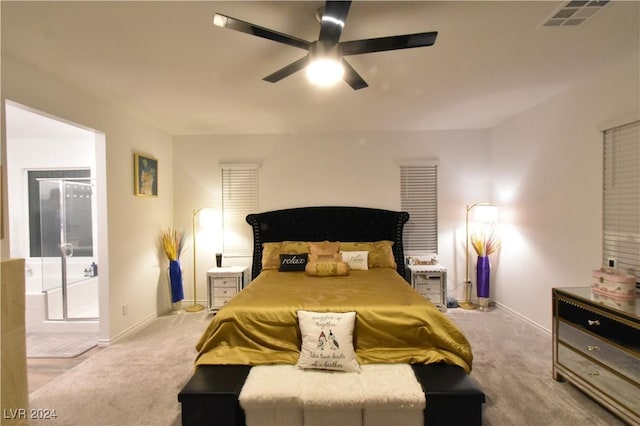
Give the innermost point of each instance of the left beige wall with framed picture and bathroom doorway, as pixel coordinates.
(130, 260)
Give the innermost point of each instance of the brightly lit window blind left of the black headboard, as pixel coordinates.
(239, 198)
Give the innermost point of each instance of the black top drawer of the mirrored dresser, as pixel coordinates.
(597, 323)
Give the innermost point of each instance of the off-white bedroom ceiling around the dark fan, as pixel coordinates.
(165, 63)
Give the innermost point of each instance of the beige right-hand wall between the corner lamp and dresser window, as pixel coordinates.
(547, 178)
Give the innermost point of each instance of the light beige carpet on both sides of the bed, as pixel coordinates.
(136, 381)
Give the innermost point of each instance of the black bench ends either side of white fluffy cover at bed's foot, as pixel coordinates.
(211, 395)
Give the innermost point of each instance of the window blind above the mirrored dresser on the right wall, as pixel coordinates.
(621, 199)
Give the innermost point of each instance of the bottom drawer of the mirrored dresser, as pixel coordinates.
(615, 387)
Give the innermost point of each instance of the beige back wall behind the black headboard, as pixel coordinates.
(358, 169)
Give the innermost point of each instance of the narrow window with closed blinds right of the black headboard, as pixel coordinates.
(419, 197)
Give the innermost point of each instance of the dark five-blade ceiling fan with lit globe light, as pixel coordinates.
(328, 46)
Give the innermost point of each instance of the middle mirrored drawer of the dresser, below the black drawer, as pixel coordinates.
(618, 359)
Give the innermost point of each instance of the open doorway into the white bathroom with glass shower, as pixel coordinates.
(51, 162)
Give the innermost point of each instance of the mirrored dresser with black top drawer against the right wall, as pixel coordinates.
(596, 347)
